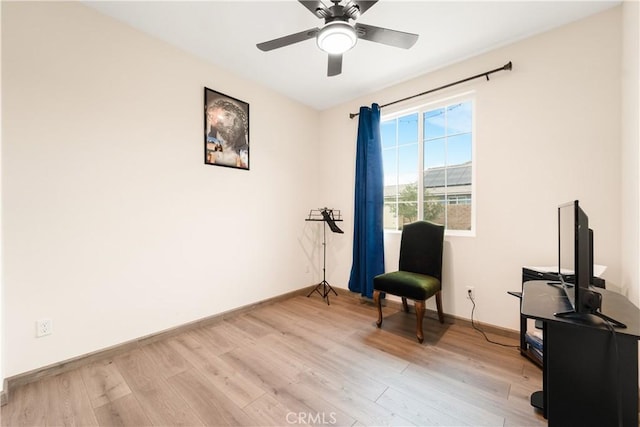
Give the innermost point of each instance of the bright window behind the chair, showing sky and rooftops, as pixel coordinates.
(427, 157)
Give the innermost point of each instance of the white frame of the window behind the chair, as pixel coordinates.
(421, 108)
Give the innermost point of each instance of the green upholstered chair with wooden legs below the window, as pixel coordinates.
(420, 271)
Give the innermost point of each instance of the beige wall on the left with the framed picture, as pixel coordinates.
(113, 227)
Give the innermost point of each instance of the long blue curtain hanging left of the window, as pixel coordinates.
(368, 238)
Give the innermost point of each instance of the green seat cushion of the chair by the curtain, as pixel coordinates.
(410, 285)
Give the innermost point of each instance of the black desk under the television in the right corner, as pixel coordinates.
(589, 372)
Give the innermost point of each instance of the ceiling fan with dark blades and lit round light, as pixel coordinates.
(338, 35)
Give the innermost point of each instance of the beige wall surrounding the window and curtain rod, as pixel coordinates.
(547, 132)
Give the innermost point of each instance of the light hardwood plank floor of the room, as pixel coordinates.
(293, 362)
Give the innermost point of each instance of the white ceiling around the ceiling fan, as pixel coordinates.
(225, 33)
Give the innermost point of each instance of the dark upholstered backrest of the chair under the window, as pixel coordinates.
(421, 248)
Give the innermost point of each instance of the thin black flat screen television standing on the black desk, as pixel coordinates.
(575, 262)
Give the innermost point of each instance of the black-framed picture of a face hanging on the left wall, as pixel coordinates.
(226, 130)
